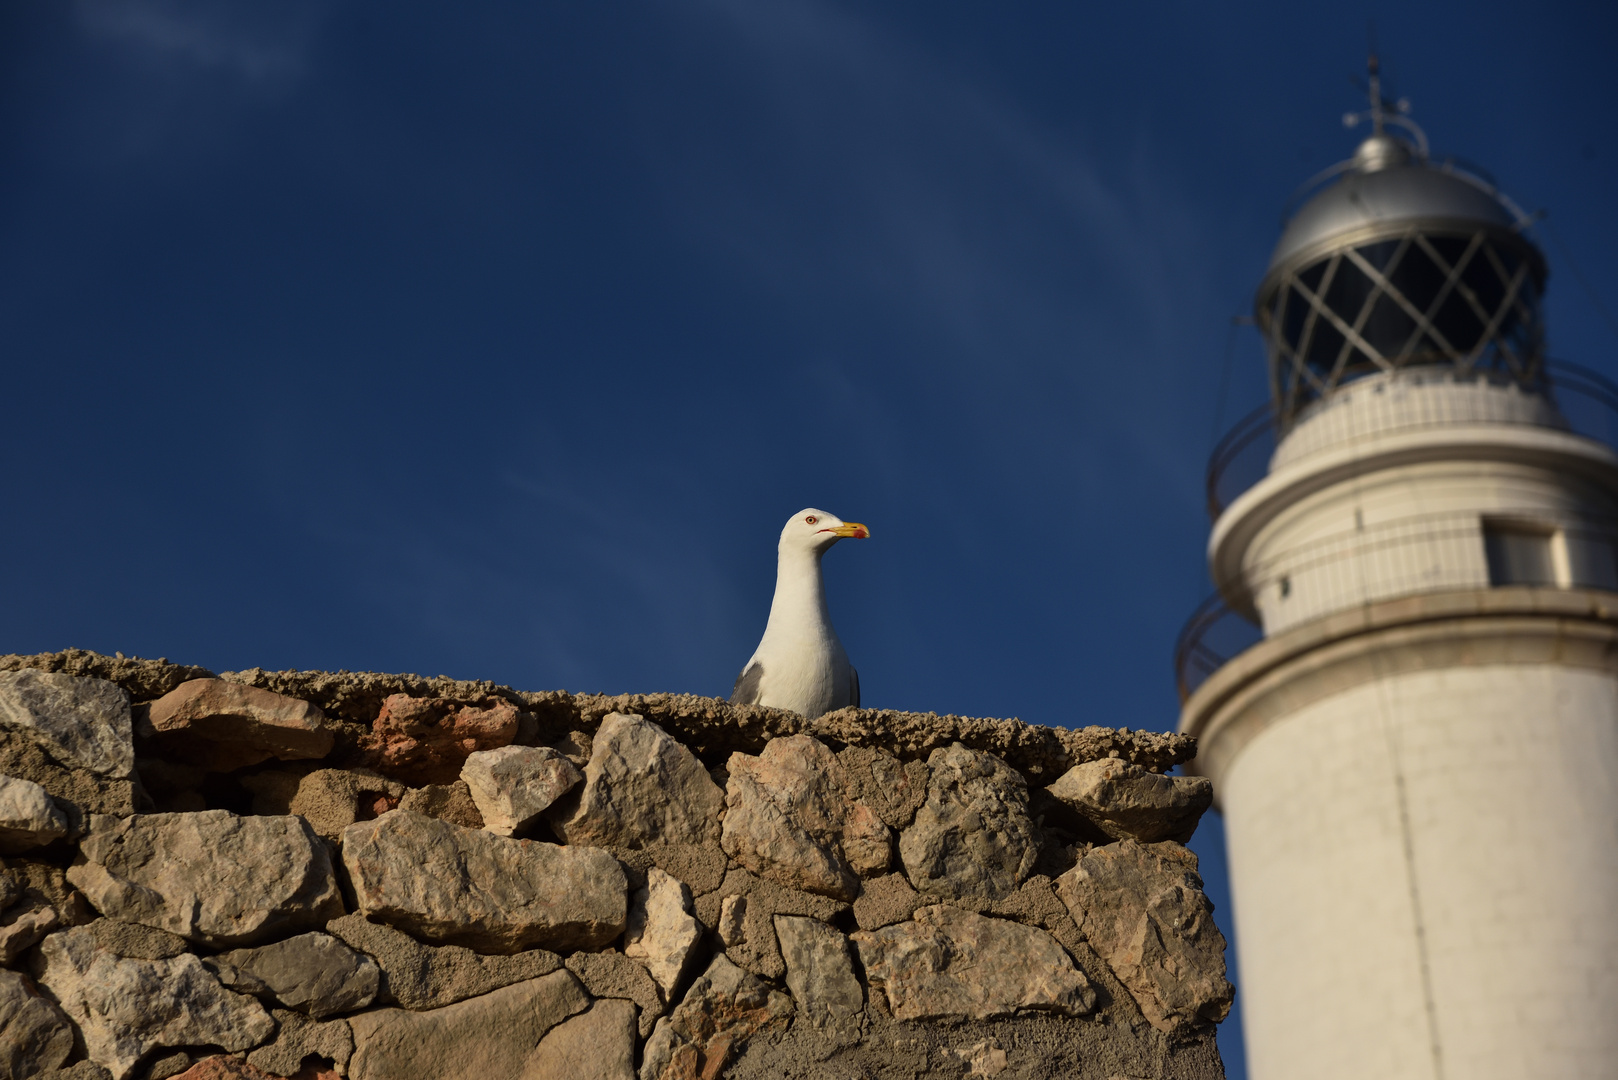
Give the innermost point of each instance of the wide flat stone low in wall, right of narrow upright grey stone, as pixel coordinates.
(952, 964)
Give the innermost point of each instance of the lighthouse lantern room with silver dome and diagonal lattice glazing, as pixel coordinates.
(1400, 263)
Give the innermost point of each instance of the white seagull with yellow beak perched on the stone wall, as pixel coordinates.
(800, 665)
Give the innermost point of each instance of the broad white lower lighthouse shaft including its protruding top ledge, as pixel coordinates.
(1421, 806)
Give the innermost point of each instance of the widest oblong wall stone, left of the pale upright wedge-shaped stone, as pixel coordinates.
(464, 887)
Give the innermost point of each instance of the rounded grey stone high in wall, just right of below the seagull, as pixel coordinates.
(973, 836)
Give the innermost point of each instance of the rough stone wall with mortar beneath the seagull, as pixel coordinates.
(375, 877)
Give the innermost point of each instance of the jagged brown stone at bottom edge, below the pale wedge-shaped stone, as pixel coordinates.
(724, 1010)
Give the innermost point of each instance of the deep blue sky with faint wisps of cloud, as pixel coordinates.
(501, 339)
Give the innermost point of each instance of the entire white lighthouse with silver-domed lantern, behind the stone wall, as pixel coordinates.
(1418, 765)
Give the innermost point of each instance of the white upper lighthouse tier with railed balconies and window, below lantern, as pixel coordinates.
(1418, 480)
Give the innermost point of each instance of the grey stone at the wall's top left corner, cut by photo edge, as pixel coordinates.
(78, 723)
